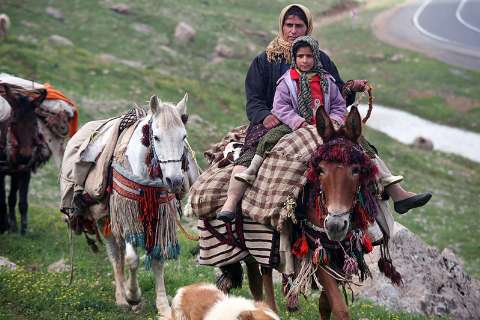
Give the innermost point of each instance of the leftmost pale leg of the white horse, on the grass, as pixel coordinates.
(116, 254)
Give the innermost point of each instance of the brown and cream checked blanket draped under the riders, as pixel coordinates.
(271, 199)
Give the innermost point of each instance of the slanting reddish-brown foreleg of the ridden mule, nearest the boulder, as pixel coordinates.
(335, 298)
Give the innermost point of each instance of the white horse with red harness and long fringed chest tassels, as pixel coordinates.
(159, 142)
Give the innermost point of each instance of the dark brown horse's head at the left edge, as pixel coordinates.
(23, 121)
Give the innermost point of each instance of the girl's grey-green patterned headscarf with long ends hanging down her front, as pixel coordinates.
(305, 94)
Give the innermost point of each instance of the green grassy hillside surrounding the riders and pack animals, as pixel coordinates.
(153, 63)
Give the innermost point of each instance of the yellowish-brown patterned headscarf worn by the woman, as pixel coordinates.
(279, 48)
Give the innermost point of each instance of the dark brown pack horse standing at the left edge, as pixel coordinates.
(22, 150)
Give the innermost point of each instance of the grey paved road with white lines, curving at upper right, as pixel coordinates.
(448, 30)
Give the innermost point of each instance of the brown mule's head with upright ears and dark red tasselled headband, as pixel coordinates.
(340, 172)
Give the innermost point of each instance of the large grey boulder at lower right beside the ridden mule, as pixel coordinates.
(435, 283)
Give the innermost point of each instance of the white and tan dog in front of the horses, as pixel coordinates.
(206, 302)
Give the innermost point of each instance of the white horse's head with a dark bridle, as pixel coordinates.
(168, 137)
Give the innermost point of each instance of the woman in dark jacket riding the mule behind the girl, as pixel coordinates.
(294, 21)
